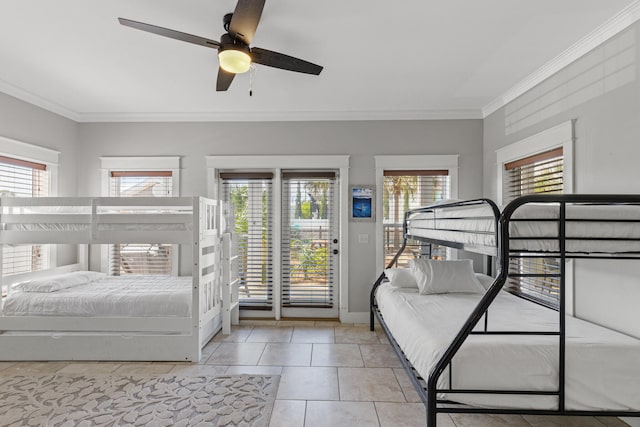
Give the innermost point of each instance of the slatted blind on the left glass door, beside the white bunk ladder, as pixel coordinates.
(252, 195)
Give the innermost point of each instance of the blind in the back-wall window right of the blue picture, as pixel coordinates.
(410, 189)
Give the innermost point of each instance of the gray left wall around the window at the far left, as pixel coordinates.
(25, 122)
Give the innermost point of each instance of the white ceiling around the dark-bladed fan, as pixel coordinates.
(382, 59)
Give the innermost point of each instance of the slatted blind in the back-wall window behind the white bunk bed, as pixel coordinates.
(136, 258)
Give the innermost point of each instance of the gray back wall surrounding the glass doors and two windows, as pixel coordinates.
(360, 140)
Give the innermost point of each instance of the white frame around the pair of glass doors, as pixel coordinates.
(276, 164)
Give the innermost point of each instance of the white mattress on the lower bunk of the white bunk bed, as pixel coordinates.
(123, 296)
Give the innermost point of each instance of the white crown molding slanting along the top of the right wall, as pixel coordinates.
(608, 29)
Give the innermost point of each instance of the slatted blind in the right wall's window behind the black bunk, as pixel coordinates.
(537, 278)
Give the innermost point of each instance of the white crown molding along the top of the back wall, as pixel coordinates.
(281, 116)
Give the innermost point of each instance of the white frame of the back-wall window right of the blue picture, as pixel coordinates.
(418, 162)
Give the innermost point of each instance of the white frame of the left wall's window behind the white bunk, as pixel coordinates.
(37, 154)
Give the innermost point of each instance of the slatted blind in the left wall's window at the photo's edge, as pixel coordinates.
(21, 178)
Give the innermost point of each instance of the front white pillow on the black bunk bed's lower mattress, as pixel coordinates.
(441, 277)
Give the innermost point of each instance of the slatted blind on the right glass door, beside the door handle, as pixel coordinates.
(308, 226)
